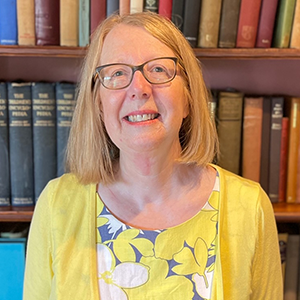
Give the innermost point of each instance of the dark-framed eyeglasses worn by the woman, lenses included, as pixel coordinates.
(119, 76)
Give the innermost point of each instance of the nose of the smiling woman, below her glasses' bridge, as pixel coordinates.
(139, 87)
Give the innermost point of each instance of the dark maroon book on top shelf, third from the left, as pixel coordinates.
(47, 22)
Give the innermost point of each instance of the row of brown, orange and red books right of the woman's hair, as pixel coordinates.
(259, 140)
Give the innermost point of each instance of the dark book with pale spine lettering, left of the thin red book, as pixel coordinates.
(275, 147)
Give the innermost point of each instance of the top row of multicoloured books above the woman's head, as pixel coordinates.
(205, 23)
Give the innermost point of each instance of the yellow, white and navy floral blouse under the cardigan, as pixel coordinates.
(172, 263)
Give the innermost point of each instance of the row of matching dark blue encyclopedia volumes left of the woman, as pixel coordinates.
(35, 119)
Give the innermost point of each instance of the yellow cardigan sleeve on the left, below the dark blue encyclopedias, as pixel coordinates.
(38, 271)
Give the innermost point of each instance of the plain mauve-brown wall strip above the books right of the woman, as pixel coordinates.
(253, 76)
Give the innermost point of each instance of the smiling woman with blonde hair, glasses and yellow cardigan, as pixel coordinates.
(143, 214)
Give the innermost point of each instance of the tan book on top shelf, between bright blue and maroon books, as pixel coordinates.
(26, 22)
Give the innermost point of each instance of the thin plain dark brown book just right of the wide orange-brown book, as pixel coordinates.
(265, 144)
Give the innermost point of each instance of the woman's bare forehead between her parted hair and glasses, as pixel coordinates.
(132, 44)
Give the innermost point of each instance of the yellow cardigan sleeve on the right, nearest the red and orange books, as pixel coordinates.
(267, 282)
